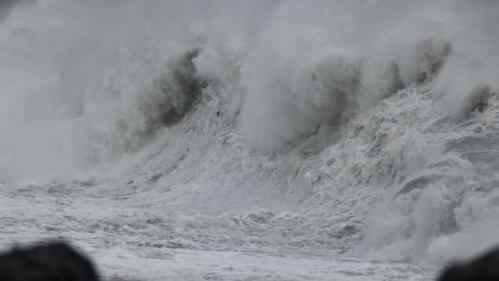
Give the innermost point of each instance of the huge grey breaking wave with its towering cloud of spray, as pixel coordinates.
(379, 113)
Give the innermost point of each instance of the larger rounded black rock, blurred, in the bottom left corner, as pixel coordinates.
(49, 261)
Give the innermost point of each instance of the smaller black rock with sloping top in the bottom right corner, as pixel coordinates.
(482, 268)
